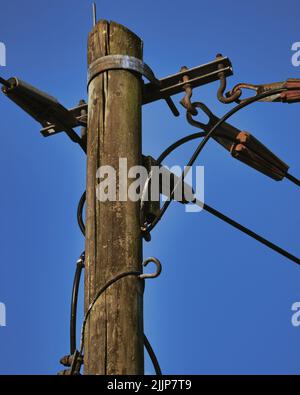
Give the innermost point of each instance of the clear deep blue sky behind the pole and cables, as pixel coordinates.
(223, 302)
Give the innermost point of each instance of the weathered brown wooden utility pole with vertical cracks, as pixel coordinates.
(114, 333)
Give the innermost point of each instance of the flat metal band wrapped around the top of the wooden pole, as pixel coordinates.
(120, 62)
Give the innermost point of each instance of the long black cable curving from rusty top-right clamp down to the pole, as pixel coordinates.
(202, 144)
